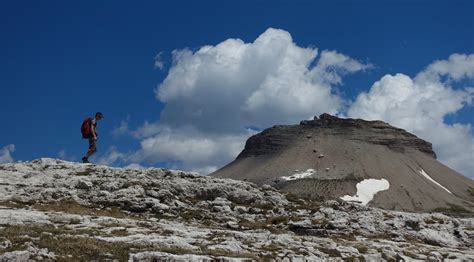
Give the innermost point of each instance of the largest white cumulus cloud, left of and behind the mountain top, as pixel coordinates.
(214, 94)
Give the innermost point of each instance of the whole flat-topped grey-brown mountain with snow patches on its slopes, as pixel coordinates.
(354, 160)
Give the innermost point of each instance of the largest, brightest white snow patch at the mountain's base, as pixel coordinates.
(366, 190)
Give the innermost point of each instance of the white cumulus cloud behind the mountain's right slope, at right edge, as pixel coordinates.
(421, 104)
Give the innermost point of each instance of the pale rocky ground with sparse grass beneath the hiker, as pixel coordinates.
(56, 210)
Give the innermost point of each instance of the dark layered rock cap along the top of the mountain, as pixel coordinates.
(278, 138)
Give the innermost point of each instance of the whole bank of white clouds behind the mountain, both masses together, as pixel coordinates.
(218, 95)
